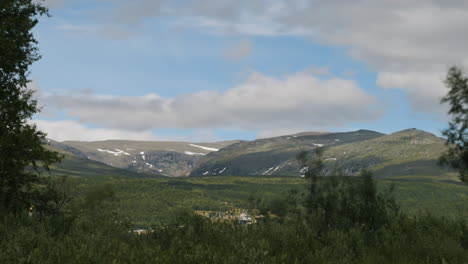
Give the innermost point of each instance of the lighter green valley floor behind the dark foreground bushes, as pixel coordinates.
(147, 201)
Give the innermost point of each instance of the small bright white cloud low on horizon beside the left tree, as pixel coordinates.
(71, 130)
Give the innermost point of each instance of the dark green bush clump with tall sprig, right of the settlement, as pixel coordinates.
(340, 202)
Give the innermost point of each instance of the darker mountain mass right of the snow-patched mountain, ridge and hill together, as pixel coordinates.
(405, 152)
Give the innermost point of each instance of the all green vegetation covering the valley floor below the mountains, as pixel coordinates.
(306, 220)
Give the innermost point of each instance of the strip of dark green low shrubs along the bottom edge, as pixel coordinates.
(194, 239)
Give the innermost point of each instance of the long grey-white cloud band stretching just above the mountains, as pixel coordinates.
(260, 103)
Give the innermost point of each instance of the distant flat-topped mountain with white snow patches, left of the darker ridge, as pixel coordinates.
(153, 157)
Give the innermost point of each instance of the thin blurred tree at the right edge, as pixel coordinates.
(457, 133)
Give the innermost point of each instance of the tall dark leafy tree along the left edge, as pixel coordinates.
(22, 150)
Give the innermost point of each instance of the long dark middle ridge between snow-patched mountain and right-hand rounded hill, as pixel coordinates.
(273, 156)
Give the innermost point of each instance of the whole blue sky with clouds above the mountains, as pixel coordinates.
(210, 70)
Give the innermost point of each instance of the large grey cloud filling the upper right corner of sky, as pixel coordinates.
(410, 44)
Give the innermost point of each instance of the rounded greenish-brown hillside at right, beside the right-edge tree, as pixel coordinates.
(407, 152)
